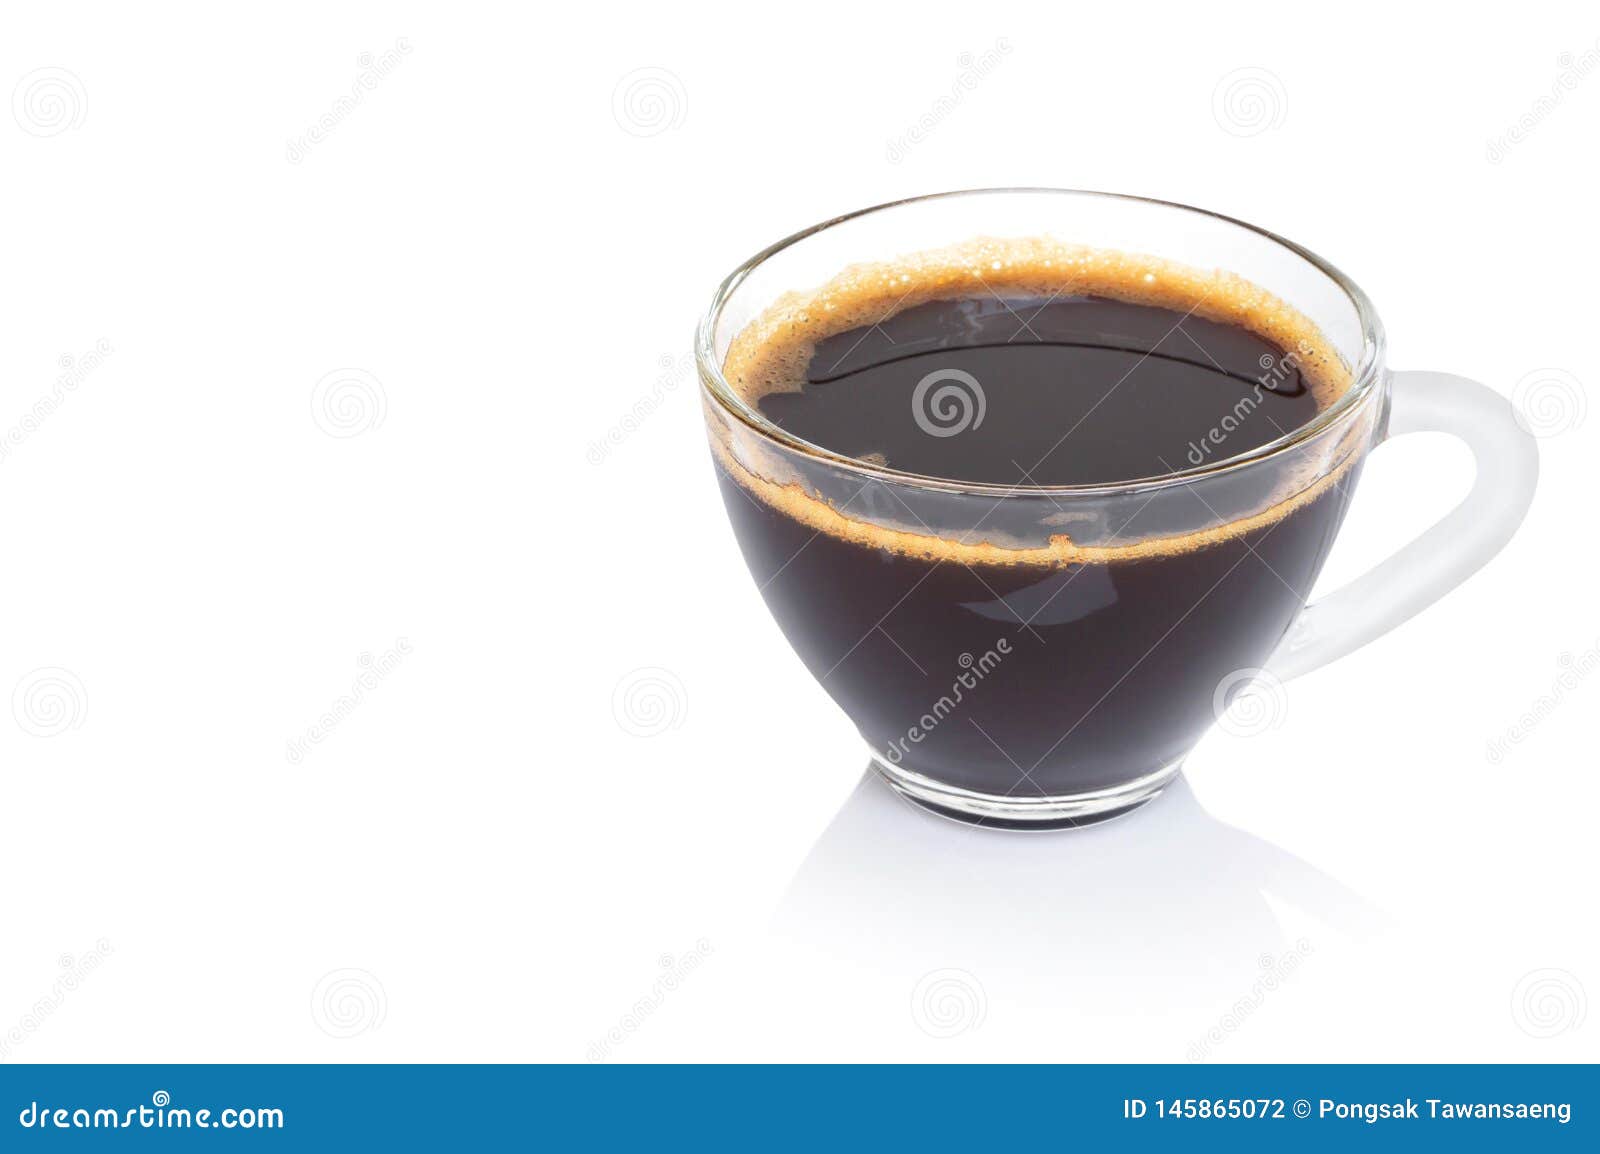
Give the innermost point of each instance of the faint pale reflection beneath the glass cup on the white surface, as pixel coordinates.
(1169, 915)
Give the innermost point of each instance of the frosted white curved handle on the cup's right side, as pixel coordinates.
(1447, 555)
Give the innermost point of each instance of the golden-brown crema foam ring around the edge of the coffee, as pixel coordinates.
(774, 351)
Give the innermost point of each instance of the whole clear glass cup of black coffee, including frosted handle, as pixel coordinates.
(1028, 654)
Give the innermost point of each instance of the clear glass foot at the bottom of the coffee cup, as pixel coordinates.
(1026, 814)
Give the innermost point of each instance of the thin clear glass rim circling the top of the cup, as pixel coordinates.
(1366, 374)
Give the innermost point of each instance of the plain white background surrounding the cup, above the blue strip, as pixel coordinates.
(511, 236)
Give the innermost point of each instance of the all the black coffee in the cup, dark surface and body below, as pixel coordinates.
(969, 657)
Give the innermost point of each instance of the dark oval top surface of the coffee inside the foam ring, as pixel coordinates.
(1074, 391)
